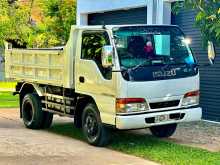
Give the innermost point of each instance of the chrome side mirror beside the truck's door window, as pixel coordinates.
(107, 56)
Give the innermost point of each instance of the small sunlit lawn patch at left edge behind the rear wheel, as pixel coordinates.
(7, 100)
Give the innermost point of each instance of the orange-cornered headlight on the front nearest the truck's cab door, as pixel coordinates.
(126, 105)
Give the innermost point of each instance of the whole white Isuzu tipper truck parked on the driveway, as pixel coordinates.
(110, 77)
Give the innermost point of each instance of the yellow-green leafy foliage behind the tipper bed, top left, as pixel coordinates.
(53, 27)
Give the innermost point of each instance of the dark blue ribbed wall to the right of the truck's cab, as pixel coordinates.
(210, 76)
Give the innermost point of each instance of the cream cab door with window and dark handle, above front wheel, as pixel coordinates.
(92, 78)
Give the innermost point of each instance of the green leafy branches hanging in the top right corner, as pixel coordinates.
(207, 18)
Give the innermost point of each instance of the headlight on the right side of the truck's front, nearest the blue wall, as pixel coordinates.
(191, 98)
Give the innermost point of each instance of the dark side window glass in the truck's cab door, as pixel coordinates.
(92, 43)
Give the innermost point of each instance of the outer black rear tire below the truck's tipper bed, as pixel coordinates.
(32, 113)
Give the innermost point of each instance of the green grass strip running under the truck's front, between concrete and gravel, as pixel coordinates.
(148, 147)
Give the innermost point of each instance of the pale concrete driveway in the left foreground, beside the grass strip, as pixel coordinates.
(19, 146)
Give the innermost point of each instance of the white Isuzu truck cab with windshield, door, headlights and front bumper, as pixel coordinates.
(145, 89)
